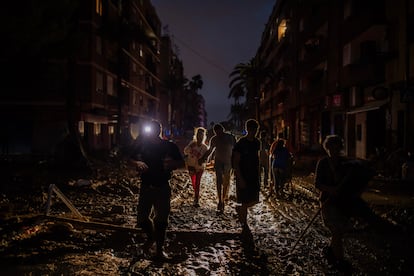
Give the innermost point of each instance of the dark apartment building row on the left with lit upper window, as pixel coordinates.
(99, 76)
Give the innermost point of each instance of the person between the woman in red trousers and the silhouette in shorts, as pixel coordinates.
(221, 146)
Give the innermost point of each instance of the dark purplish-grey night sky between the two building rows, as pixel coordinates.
(212, 37)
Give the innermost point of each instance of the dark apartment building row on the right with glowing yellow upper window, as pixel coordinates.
(343, 67)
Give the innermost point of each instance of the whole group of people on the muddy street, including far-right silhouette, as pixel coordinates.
(155, 159)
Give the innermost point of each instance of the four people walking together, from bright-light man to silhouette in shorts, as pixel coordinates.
(155, 158)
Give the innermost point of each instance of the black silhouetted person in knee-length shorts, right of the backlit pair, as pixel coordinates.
(247, 171)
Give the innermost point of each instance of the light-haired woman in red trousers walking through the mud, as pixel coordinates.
(193, 152)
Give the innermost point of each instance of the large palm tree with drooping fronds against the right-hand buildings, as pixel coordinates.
(247, 79)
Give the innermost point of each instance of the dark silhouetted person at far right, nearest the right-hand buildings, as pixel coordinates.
(341, 181)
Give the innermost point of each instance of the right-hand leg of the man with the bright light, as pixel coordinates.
(162, 209)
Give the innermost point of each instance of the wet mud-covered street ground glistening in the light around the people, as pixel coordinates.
(200, 241)
